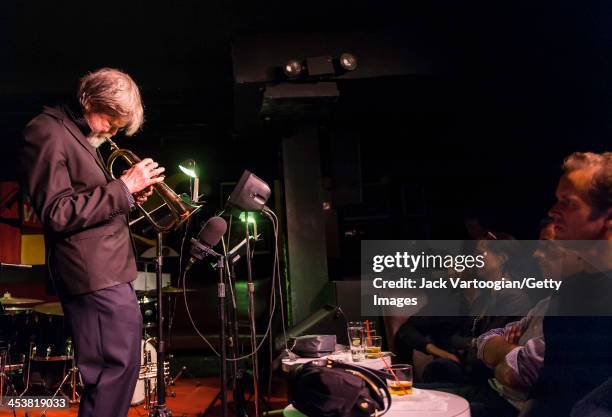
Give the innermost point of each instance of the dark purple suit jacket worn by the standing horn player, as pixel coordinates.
(82, 208)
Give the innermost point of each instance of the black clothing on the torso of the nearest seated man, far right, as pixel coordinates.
(578, 335)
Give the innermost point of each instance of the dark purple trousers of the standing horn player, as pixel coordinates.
(106, 330)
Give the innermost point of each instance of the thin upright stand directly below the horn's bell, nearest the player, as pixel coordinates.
(160, 409)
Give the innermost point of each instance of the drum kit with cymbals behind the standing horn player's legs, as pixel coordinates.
(37, 355)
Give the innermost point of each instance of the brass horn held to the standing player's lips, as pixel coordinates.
(181, 206)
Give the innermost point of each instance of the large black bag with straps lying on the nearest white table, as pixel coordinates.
(334, 389)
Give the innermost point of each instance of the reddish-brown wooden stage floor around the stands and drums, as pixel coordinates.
(192, 398)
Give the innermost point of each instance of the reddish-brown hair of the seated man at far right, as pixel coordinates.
(599, 191)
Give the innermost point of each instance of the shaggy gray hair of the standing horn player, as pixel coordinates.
(114, 93)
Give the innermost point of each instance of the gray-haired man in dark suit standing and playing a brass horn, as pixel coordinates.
(84, 213)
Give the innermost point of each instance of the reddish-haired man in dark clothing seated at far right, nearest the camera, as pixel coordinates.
(577, 327)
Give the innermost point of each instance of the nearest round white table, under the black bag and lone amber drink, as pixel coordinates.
(456, 406)
